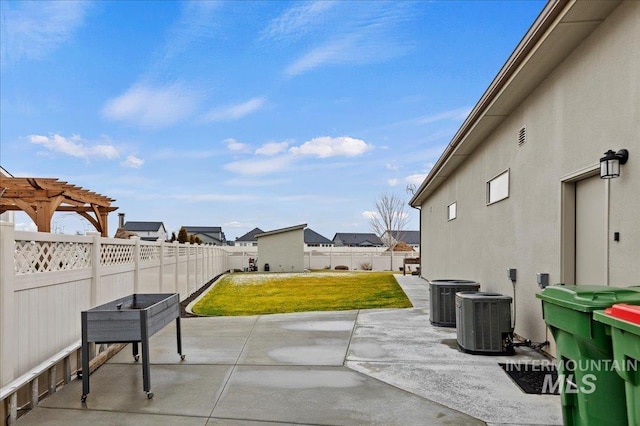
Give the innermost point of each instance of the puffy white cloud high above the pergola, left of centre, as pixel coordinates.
(152, 106)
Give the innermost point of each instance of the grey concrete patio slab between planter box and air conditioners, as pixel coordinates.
(387, 367)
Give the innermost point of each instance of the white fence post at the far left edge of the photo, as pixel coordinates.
(7, 325)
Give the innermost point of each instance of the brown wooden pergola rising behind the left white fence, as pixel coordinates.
(40, 198)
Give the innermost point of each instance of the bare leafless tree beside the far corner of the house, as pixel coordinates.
(389, 219)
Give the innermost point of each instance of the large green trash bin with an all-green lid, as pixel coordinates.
(590, 394)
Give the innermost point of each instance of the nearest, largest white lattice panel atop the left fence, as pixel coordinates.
(46, 256)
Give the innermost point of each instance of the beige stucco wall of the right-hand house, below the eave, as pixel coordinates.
(586, 105)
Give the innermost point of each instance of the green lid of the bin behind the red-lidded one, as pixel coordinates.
(587, 298)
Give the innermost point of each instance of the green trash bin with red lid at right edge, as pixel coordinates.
(624, 322)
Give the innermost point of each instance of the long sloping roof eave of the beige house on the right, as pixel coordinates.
(559, 29)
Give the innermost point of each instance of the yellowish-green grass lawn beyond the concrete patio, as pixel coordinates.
(273, 293)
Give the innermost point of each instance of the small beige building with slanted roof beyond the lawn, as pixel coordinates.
(281, 250)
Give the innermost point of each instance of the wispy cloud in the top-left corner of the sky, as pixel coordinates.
(33, 29)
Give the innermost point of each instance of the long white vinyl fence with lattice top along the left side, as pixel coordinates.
(47, 280)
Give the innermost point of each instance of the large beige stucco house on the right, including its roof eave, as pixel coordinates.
(518, 186)
